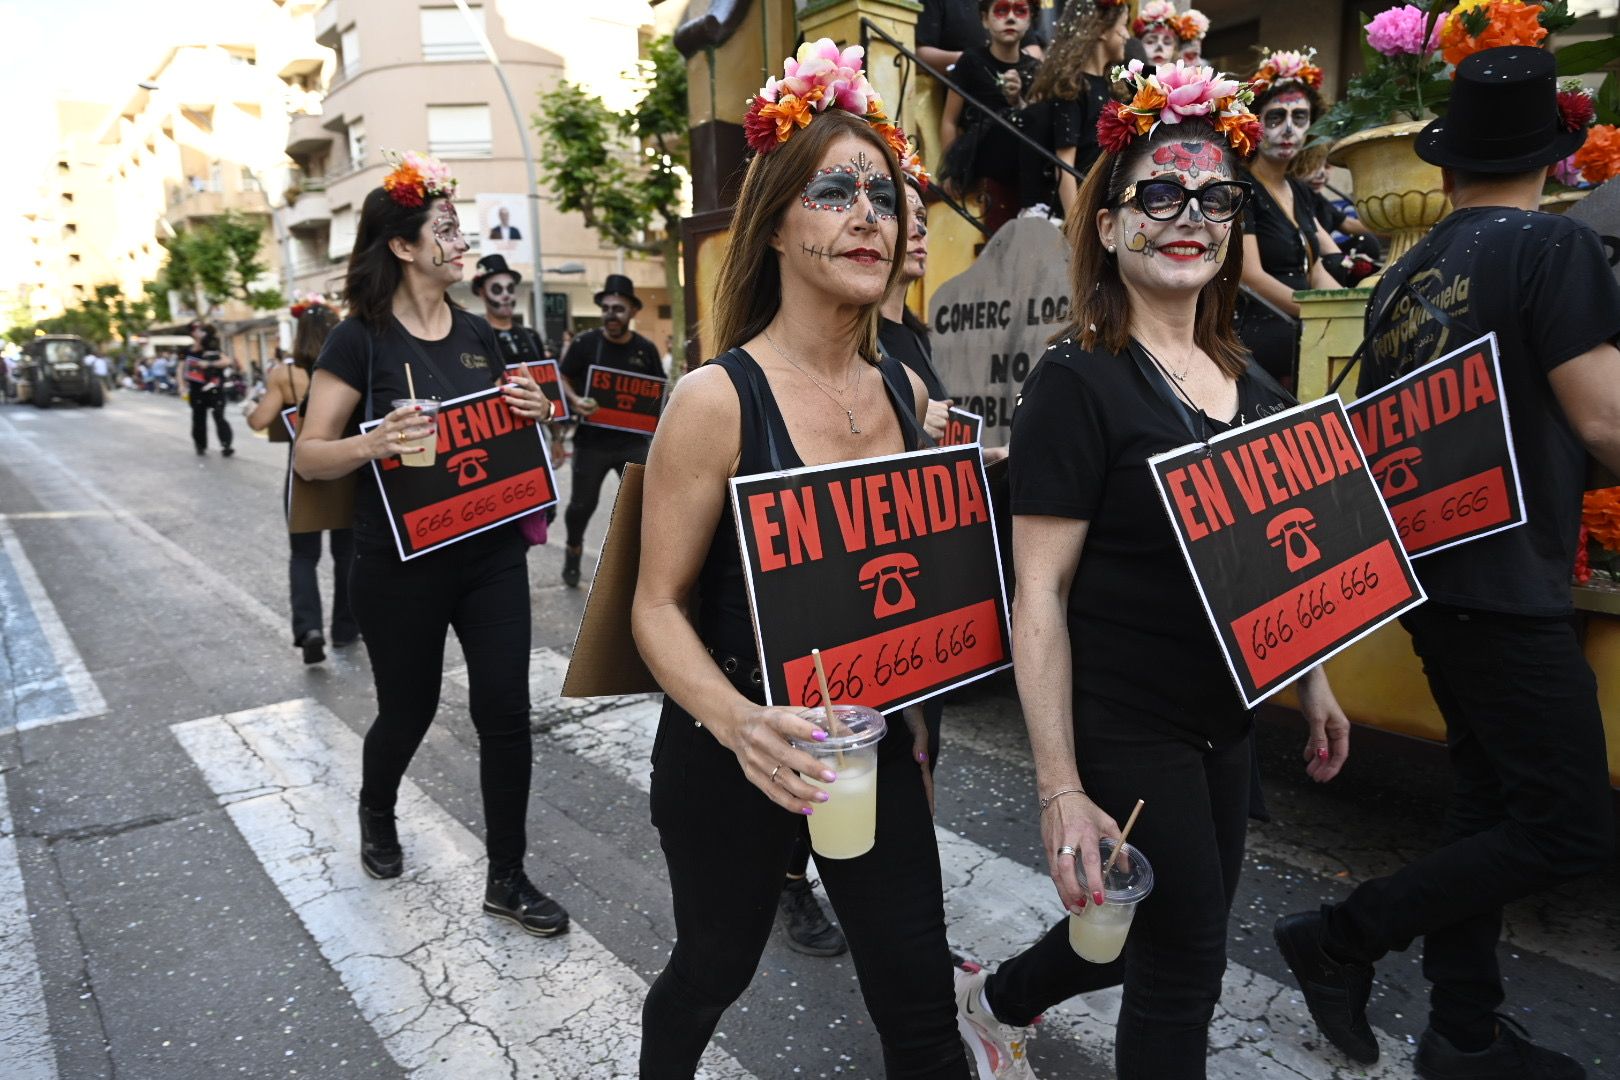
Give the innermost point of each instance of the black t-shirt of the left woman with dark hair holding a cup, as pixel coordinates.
(467, 360)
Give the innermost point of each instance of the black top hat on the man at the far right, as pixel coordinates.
(1504, 116)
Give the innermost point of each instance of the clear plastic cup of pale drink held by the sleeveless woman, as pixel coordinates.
(846, 825)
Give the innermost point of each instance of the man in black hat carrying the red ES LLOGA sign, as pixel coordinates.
(600, 449)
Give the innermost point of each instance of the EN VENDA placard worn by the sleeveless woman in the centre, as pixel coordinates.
(889, 566)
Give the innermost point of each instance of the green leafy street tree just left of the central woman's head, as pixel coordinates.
(625, 172)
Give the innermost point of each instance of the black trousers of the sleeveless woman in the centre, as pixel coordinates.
(728, 848)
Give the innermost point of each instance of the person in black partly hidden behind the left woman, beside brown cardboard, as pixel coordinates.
(284, 388)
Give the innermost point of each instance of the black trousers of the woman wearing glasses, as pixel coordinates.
(1177, 953)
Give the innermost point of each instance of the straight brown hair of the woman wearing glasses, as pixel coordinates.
(1102, 308)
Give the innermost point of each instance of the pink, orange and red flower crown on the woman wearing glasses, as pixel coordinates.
(1174, 93)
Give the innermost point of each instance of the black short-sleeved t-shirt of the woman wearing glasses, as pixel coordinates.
(1081, 438)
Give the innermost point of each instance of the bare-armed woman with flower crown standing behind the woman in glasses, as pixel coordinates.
(1285, 247)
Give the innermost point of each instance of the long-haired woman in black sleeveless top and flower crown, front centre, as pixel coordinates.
(816, 245)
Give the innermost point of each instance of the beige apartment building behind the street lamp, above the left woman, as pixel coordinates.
(411, 75)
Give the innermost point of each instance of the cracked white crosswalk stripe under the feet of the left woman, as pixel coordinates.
(451, 992)
